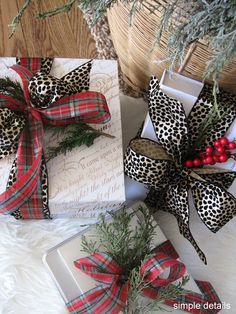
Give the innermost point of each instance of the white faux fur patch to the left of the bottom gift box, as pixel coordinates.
(25, 284)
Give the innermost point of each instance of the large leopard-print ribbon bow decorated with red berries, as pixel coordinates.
(186, 154)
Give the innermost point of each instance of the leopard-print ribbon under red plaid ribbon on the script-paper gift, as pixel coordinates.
(44, 89)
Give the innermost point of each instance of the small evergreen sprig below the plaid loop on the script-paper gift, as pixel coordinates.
(75, 135)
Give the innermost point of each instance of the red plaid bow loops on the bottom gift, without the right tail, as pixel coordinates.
(112, 293)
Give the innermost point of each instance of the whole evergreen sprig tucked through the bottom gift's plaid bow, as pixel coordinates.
(130, 248)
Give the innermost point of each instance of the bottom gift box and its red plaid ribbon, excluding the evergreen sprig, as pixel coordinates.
(94, 284)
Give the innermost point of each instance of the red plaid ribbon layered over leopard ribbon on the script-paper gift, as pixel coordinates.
(86, 107)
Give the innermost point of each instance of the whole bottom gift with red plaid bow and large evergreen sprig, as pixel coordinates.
(130, 268)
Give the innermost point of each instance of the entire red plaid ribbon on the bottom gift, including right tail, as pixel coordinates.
(112, 293)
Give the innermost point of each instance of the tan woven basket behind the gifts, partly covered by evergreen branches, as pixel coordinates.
(135, 46)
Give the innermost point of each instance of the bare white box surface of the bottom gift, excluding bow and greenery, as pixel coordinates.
(71, 281)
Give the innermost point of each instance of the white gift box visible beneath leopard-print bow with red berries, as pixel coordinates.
(185, 90)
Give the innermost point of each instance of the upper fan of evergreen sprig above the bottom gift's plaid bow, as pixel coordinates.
(127, 246)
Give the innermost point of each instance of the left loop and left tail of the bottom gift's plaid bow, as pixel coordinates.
(110, 296)
